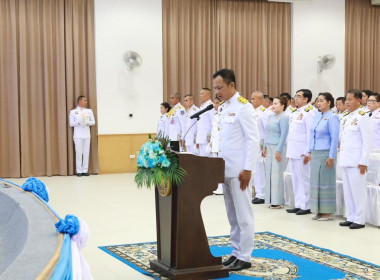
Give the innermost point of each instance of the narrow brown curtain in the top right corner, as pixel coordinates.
(362, 45)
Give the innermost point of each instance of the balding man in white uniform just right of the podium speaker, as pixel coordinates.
(258, 180)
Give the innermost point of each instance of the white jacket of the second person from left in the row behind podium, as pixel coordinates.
(177, 122)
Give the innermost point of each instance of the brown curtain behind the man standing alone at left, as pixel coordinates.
(53, 64)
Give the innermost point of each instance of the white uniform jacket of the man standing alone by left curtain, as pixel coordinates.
(81, 119)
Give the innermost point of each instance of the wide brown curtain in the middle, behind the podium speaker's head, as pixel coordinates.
(202, 36)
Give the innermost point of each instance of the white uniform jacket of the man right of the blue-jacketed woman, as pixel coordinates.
(356, 139)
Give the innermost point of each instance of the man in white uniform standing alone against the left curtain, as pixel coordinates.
(81, 118)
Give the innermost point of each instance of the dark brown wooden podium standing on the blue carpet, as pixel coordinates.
(182, 246)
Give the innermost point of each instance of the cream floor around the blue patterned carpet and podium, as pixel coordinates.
(117, 212)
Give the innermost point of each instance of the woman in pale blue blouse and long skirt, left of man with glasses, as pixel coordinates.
(274, 151)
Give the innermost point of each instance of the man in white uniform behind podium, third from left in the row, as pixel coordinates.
(191, 125)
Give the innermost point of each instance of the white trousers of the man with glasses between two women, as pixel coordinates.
(301, 183)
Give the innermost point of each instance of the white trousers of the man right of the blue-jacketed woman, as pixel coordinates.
(355, 194)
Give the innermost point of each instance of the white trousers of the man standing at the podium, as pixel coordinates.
(240, 216)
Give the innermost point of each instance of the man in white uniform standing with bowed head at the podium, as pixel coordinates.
(239, 147)
